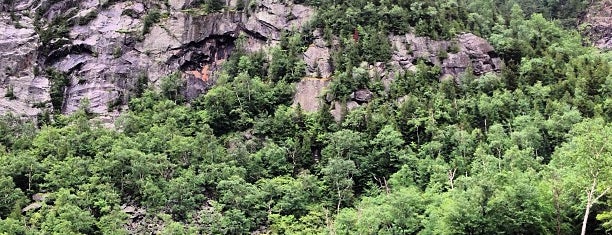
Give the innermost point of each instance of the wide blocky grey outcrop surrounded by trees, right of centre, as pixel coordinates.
(454, 57)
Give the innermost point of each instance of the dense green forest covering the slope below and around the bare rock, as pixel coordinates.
(527, 150)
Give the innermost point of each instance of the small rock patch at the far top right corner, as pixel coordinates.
(599, 23)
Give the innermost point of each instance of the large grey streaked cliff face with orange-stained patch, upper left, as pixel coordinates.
(106, 56)
